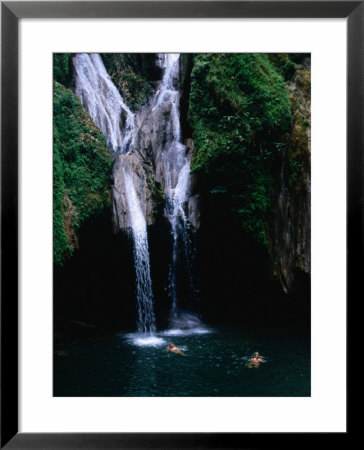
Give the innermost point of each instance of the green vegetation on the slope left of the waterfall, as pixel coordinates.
(82, 166)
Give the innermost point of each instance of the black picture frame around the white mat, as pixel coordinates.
(11, 12)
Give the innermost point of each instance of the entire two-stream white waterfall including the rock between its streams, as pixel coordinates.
(156, 129)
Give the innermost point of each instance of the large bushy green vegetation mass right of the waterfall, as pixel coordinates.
(239, 113)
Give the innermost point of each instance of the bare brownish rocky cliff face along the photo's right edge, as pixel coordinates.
(289, 232)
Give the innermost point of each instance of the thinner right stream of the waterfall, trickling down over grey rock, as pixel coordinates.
(174, 168)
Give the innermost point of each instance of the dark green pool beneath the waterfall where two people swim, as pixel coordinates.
(122, 365)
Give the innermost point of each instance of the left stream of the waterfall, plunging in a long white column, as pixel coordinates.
(103, 102)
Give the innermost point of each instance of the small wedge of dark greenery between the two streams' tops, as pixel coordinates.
(134, 88)
